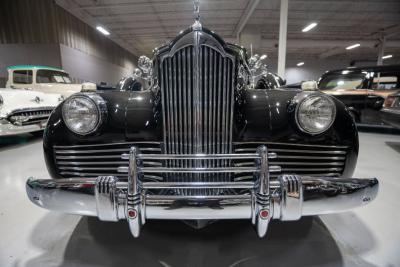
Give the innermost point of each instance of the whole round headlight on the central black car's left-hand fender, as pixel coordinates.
(83, 113)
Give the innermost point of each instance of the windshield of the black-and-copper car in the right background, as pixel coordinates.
(342, 81)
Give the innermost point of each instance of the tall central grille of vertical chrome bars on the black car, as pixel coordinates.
(197, 89)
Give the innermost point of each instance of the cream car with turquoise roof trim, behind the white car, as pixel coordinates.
(44, 79)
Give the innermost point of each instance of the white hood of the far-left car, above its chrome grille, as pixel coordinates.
(15, 99)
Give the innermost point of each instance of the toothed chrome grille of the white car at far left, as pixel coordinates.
(29, 116)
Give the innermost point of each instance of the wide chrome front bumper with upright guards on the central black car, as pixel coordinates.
(287, 198)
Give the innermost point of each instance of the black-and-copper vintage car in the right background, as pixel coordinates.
(363, 90)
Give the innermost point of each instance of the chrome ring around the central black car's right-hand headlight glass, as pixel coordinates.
(299, 106)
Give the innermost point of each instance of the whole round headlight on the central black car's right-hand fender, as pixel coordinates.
(315, 114)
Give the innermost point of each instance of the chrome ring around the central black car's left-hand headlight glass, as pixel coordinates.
(100, 107)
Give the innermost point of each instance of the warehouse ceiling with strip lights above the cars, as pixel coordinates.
(141, 25)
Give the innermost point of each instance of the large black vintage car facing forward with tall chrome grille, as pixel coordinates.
(199, 145)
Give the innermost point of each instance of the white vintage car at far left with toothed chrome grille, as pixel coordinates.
(25, 111)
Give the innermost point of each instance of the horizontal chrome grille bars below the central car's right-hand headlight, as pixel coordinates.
(301, 159)
